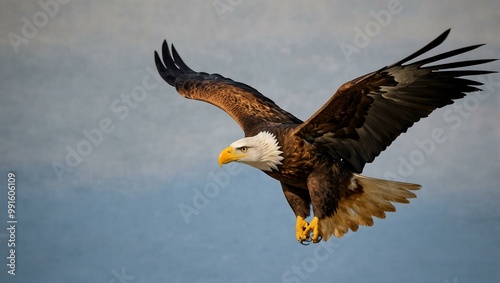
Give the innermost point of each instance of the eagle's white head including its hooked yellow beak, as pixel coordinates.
(260, 151)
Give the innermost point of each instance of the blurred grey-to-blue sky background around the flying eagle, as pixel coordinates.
(116, 176)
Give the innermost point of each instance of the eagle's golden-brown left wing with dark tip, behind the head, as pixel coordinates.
(243, 103)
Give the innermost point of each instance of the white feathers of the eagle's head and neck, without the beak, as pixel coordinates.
(267, 154)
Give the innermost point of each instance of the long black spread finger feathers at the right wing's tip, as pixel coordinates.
(436, 42)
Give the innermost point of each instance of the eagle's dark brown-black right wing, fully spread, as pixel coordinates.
(366, 114)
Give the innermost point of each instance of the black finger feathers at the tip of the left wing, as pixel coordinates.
(171, 67)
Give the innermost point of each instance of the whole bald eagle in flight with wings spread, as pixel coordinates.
(319, 161)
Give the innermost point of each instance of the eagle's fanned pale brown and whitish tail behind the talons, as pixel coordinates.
(369, 197)
